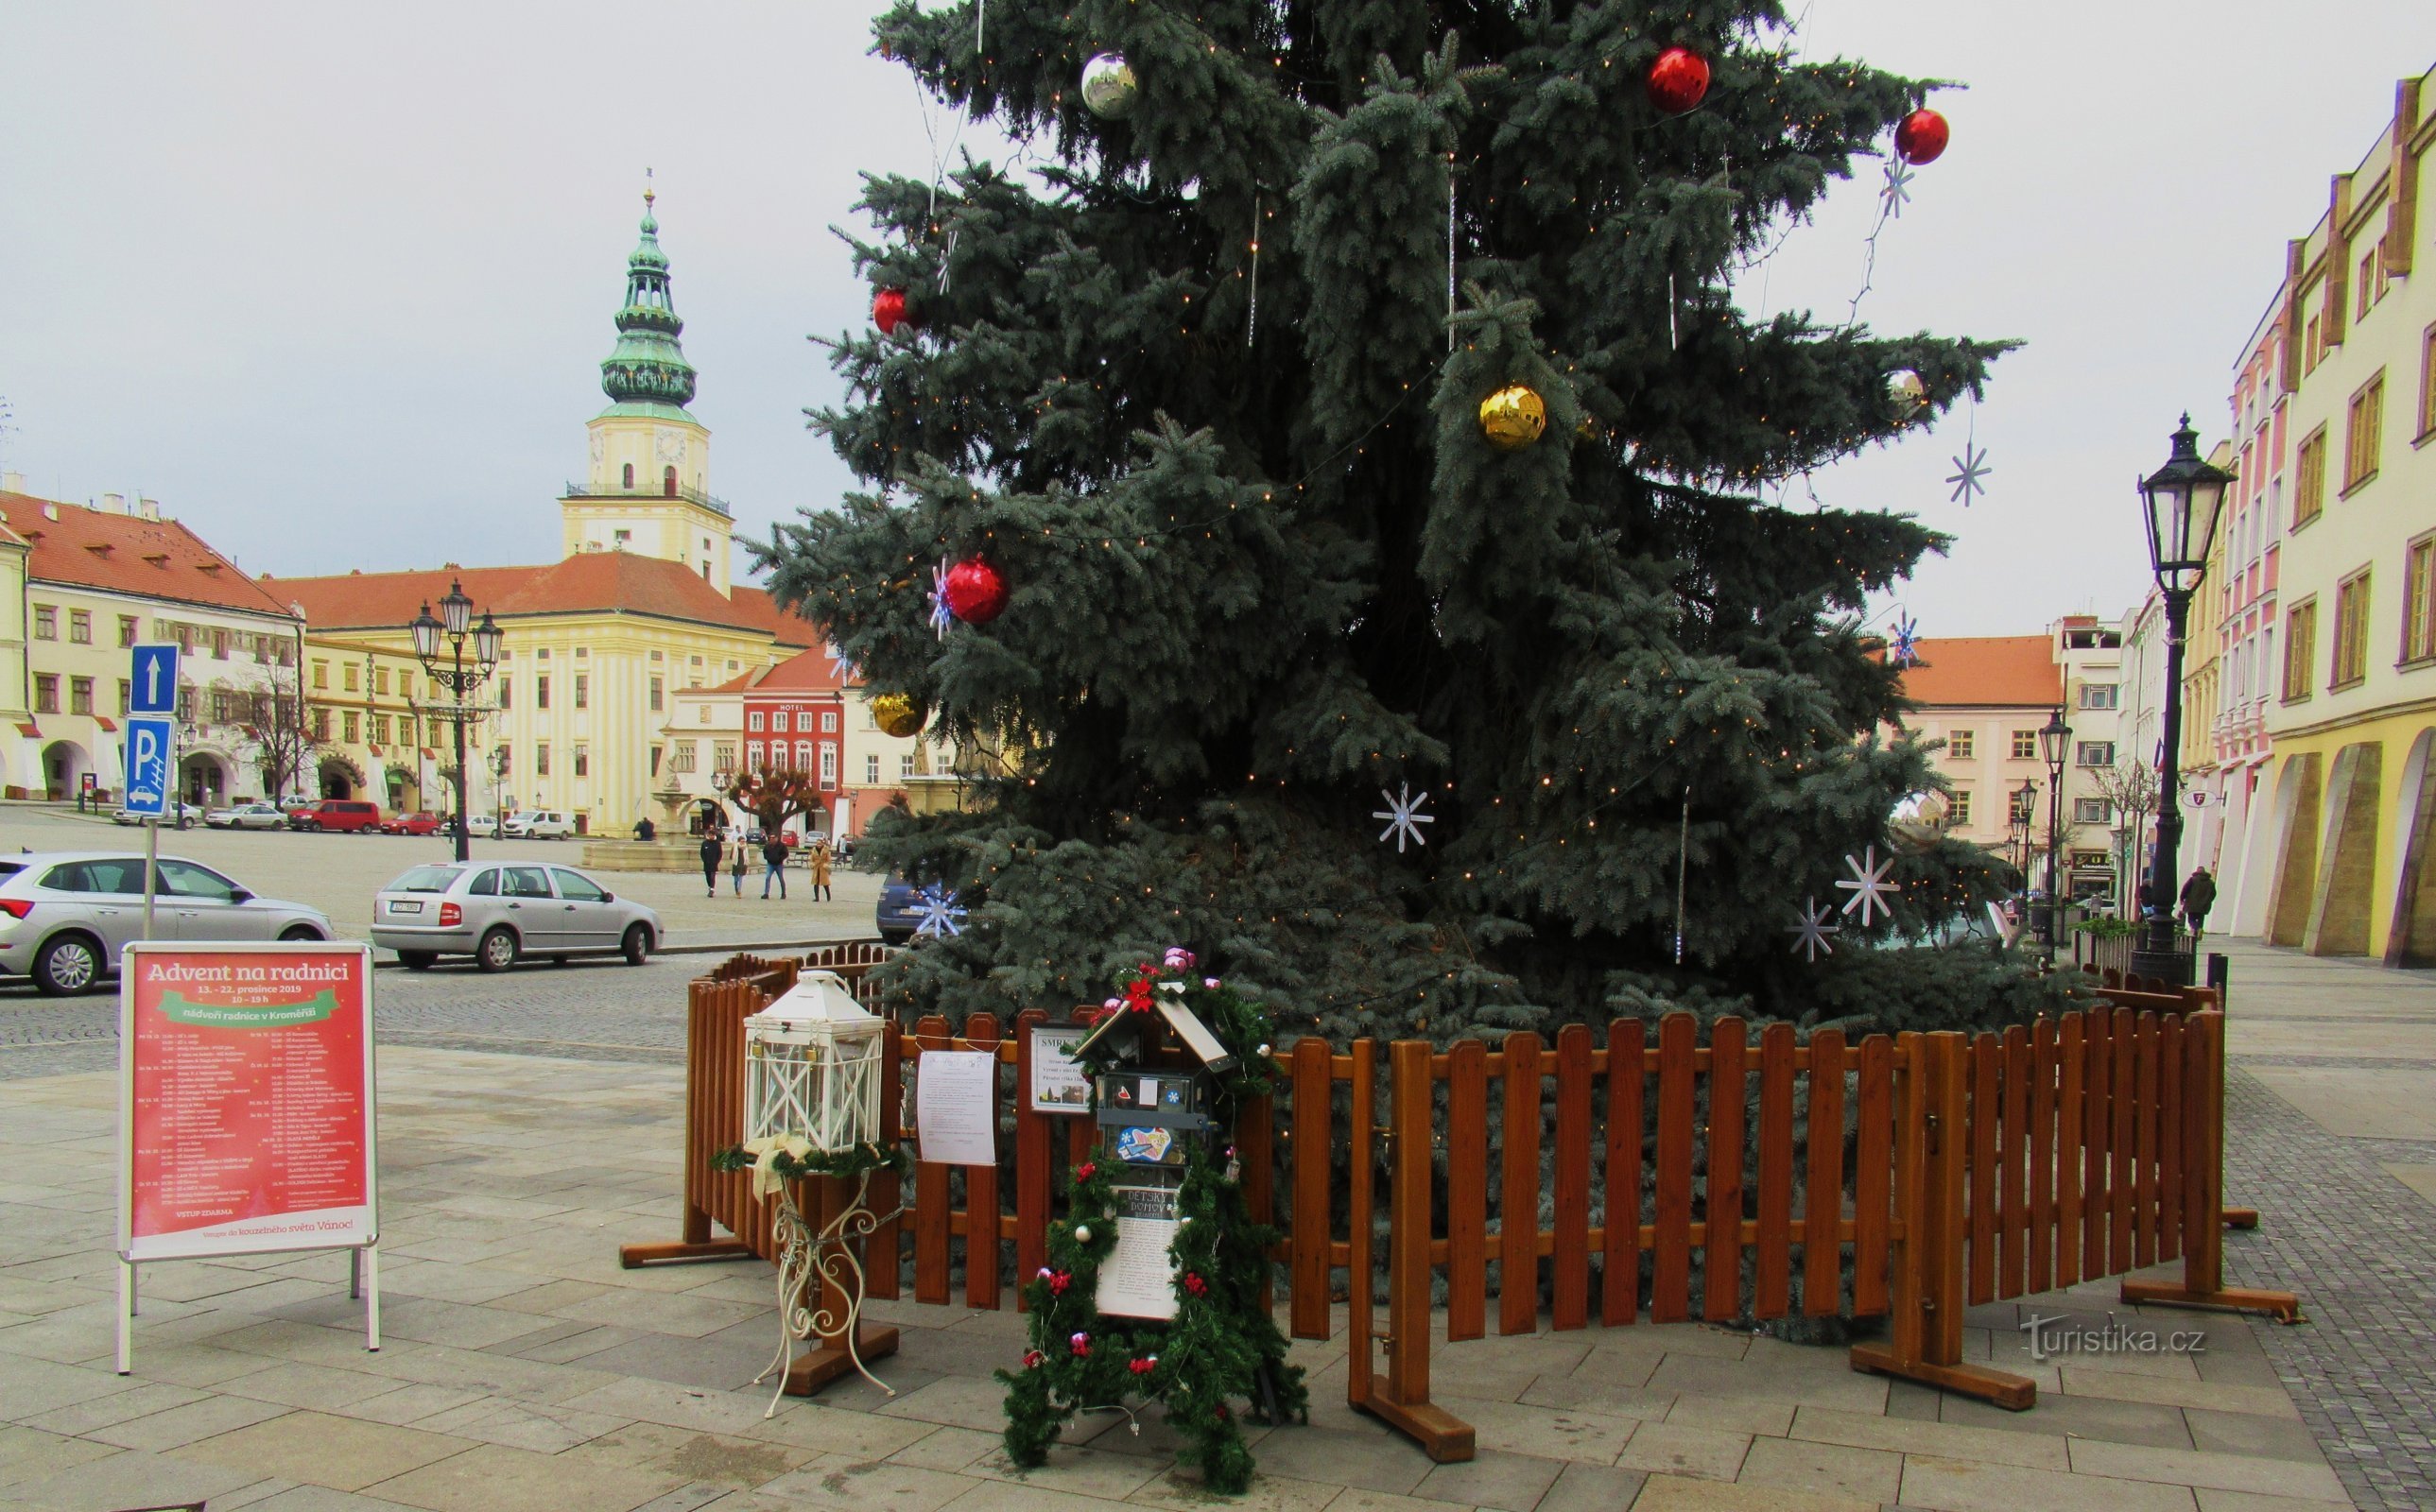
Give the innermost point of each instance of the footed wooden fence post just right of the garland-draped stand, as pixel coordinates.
(1404, 1401)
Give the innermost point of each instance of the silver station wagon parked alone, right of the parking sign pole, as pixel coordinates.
(501, 912)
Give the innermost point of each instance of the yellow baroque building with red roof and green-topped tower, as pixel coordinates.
(598, 644)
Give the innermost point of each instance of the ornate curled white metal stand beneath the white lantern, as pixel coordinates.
(825, 1260)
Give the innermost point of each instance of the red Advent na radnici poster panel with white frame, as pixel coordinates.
(247, 1099)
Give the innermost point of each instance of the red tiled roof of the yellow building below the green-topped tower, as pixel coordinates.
(591, 583)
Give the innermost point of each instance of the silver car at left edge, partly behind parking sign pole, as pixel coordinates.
(67, 917)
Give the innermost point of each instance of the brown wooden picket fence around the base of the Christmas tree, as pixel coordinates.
(1906, 1177)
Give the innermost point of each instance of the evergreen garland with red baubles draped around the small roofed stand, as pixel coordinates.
(1222, 1348)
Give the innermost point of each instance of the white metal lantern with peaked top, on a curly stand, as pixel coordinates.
(812, 1068)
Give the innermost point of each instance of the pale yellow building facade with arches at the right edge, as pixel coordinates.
(2352, 724)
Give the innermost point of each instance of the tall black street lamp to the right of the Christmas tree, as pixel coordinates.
(2184, 500)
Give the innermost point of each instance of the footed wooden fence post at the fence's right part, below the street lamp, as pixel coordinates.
(1933, 1146)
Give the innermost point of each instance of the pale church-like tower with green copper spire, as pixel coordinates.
(647, 488)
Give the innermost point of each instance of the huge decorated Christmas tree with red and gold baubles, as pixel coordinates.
(1331, 474)
